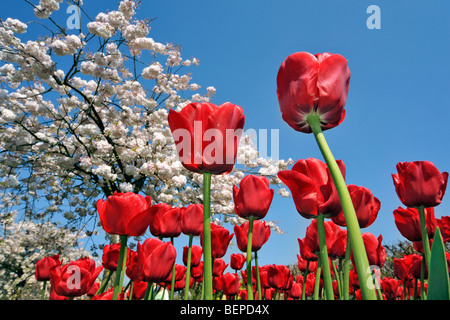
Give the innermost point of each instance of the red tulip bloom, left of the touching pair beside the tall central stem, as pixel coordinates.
(165, 221)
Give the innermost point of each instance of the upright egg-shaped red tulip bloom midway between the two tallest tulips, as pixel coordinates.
(253, 197)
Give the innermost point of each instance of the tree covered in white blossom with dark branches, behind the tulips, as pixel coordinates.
(84, 114)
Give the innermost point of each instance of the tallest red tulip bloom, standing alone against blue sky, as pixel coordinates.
(313, 84)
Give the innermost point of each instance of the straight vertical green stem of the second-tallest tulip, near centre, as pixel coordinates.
(207, 259)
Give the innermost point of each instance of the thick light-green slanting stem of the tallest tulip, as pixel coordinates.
(353, 229)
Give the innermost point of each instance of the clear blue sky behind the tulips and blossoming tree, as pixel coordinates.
(397, 107)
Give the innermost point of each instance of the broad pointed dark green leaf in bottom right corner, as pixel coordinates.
(438, 281)
